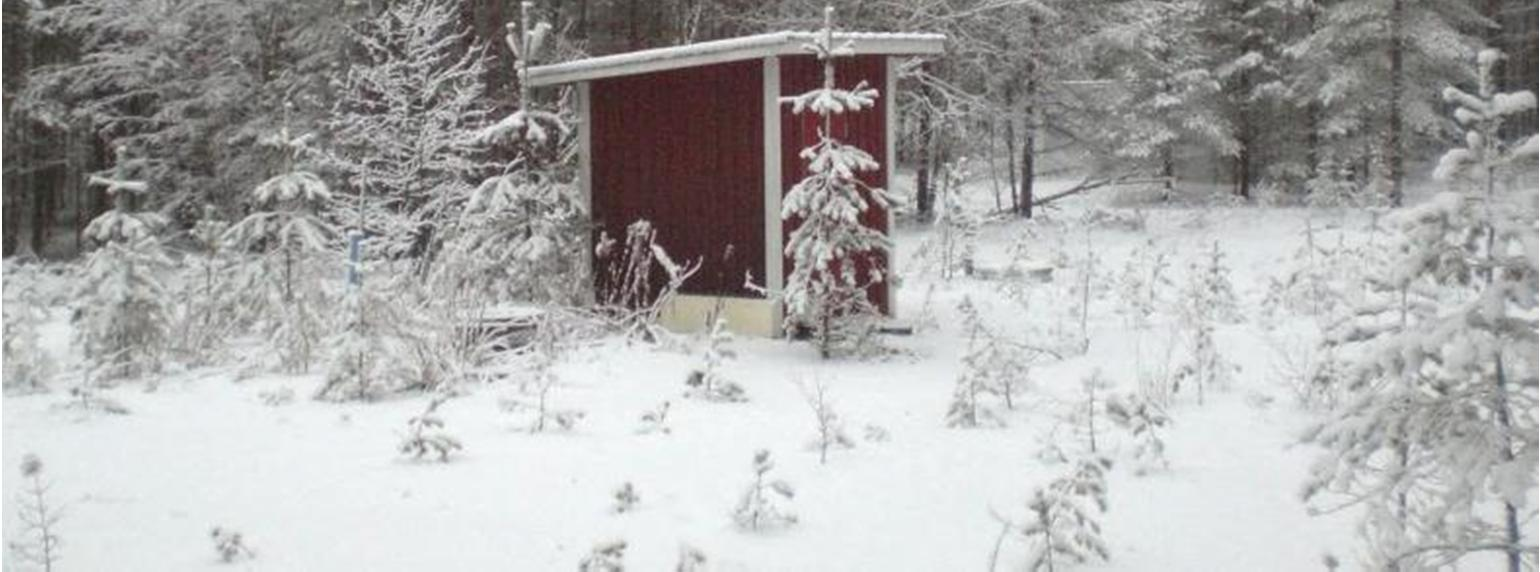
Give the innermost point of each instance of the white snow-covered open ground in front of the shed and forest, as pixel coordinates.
(318, 486)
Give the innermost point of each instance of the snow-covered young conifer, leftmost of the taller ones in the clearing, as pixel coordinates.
(124, 320)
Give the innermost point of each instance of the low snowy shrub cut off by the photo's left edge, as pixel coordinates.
(27, 365)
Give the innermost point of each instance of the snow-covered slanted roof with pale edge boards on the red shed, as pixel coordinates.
(731, 50)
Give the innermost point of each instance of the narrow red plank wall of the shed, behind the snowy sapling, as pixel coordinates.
(866, 130)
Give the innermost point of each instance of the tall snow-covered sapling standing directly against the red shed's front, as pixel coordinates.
(825, 292)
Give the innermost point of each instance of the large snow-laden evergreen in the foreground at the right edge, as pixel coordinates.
(1438, 442)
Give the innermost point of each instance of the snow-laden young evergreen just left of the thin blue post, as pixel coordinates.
(287, 238)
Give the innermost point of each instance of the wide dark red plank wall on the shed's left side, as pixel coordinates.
(685, 150)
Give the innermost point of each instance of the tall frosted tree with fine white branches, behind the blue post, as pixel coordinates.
(406, 124)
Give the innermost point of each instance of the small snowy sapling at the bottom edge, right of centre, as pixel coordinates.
(1063, 519)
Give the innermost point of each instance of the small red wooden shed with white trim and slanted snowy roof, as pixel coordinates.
(697, 141)
